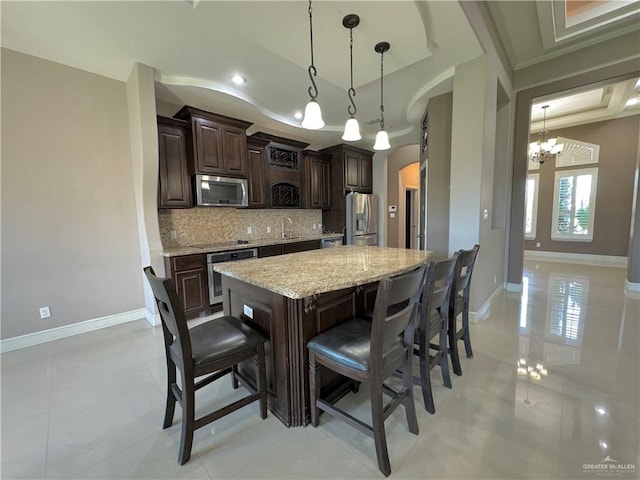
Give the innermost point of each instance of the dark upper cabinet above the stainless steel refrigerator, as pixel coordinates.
(352, 168)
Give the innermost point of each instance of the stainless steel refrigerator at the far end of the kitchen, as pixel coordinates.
(362, 219)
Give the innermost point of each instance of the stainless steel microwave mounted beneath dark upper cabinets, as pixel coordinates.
(221, 191)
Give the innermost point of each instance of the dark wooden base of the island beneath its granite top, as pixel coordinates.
(289, 324)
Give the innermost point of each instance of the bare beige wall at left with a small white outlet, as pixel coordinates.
(69, 234)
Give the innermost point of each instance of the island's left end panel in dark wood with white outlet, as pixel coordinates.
(269, 316)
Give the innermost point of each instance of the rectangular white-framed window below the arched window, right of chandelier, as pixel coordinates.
(574, 204)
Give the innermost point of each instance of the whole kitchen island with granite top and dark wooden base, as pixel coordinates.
(291, 298)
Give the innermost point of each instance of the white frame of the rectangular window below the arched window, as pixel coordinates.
(574, 237)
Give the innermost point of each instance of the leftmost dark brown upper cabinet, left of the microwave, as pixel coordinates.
(174, 181)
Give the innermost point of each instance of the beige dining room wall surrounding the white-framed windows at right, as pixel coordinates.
(618, 147)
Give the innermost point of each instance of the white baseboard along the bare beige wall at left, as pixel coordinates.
(44, 336)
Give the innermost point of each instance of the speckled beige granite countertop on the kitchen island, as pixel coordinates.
(299, 275)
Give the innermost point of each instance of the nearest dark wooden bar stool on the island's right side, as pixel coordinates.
(371, 351)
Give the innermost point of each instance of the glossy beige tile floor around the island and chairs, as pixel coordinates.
(91, 406)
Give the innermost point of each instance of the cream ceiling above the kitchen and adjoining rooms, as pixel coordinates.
(194, 46)
